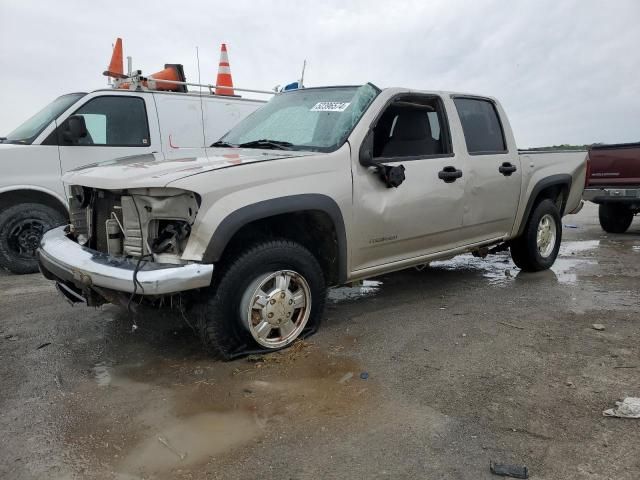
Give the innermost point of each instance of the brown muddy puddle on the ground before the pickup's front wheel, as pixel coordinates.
(165, 418)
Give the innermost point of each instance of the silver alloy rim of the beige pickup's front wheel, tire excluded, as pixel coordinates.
(276, 308)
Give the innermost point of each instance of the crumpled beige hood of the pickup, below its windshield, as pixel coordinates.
(151, 170)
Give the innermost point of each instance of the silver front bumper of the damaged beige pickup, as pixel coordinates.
(65, 260)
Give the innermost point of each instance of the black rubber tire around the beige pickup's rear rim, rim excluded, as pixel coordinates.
(524, 249)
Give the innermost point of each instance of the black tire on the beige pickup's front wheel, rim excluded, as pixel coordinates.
(219, 319)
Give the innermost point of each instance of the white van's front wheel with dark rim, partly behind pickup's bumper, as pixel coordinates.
(21, 228)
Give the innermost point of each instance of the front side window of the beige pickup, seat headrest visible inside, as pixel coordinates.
(410, 128)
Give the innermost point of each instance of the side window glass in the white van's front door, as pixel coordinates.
(115, 121)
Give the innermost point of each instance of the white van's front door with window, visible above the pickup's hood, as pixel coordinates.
(117, 126)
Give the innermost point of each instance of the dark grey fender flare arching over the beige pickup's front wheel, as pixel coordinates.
(277, 206)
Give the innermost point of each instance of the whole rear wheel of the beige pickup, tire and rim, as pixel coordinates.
(537, 248)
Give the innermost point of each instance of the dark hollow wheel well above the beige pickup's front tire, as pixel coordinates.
(313, 229)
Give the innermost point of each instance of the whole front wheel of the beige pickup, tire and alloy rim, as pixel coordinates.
(263, 300)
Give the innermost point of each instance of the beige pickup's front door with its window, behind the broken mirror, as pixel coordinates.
(424, 214)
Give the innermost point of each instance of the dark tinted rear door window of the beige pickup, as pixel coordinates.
(481, 126)
